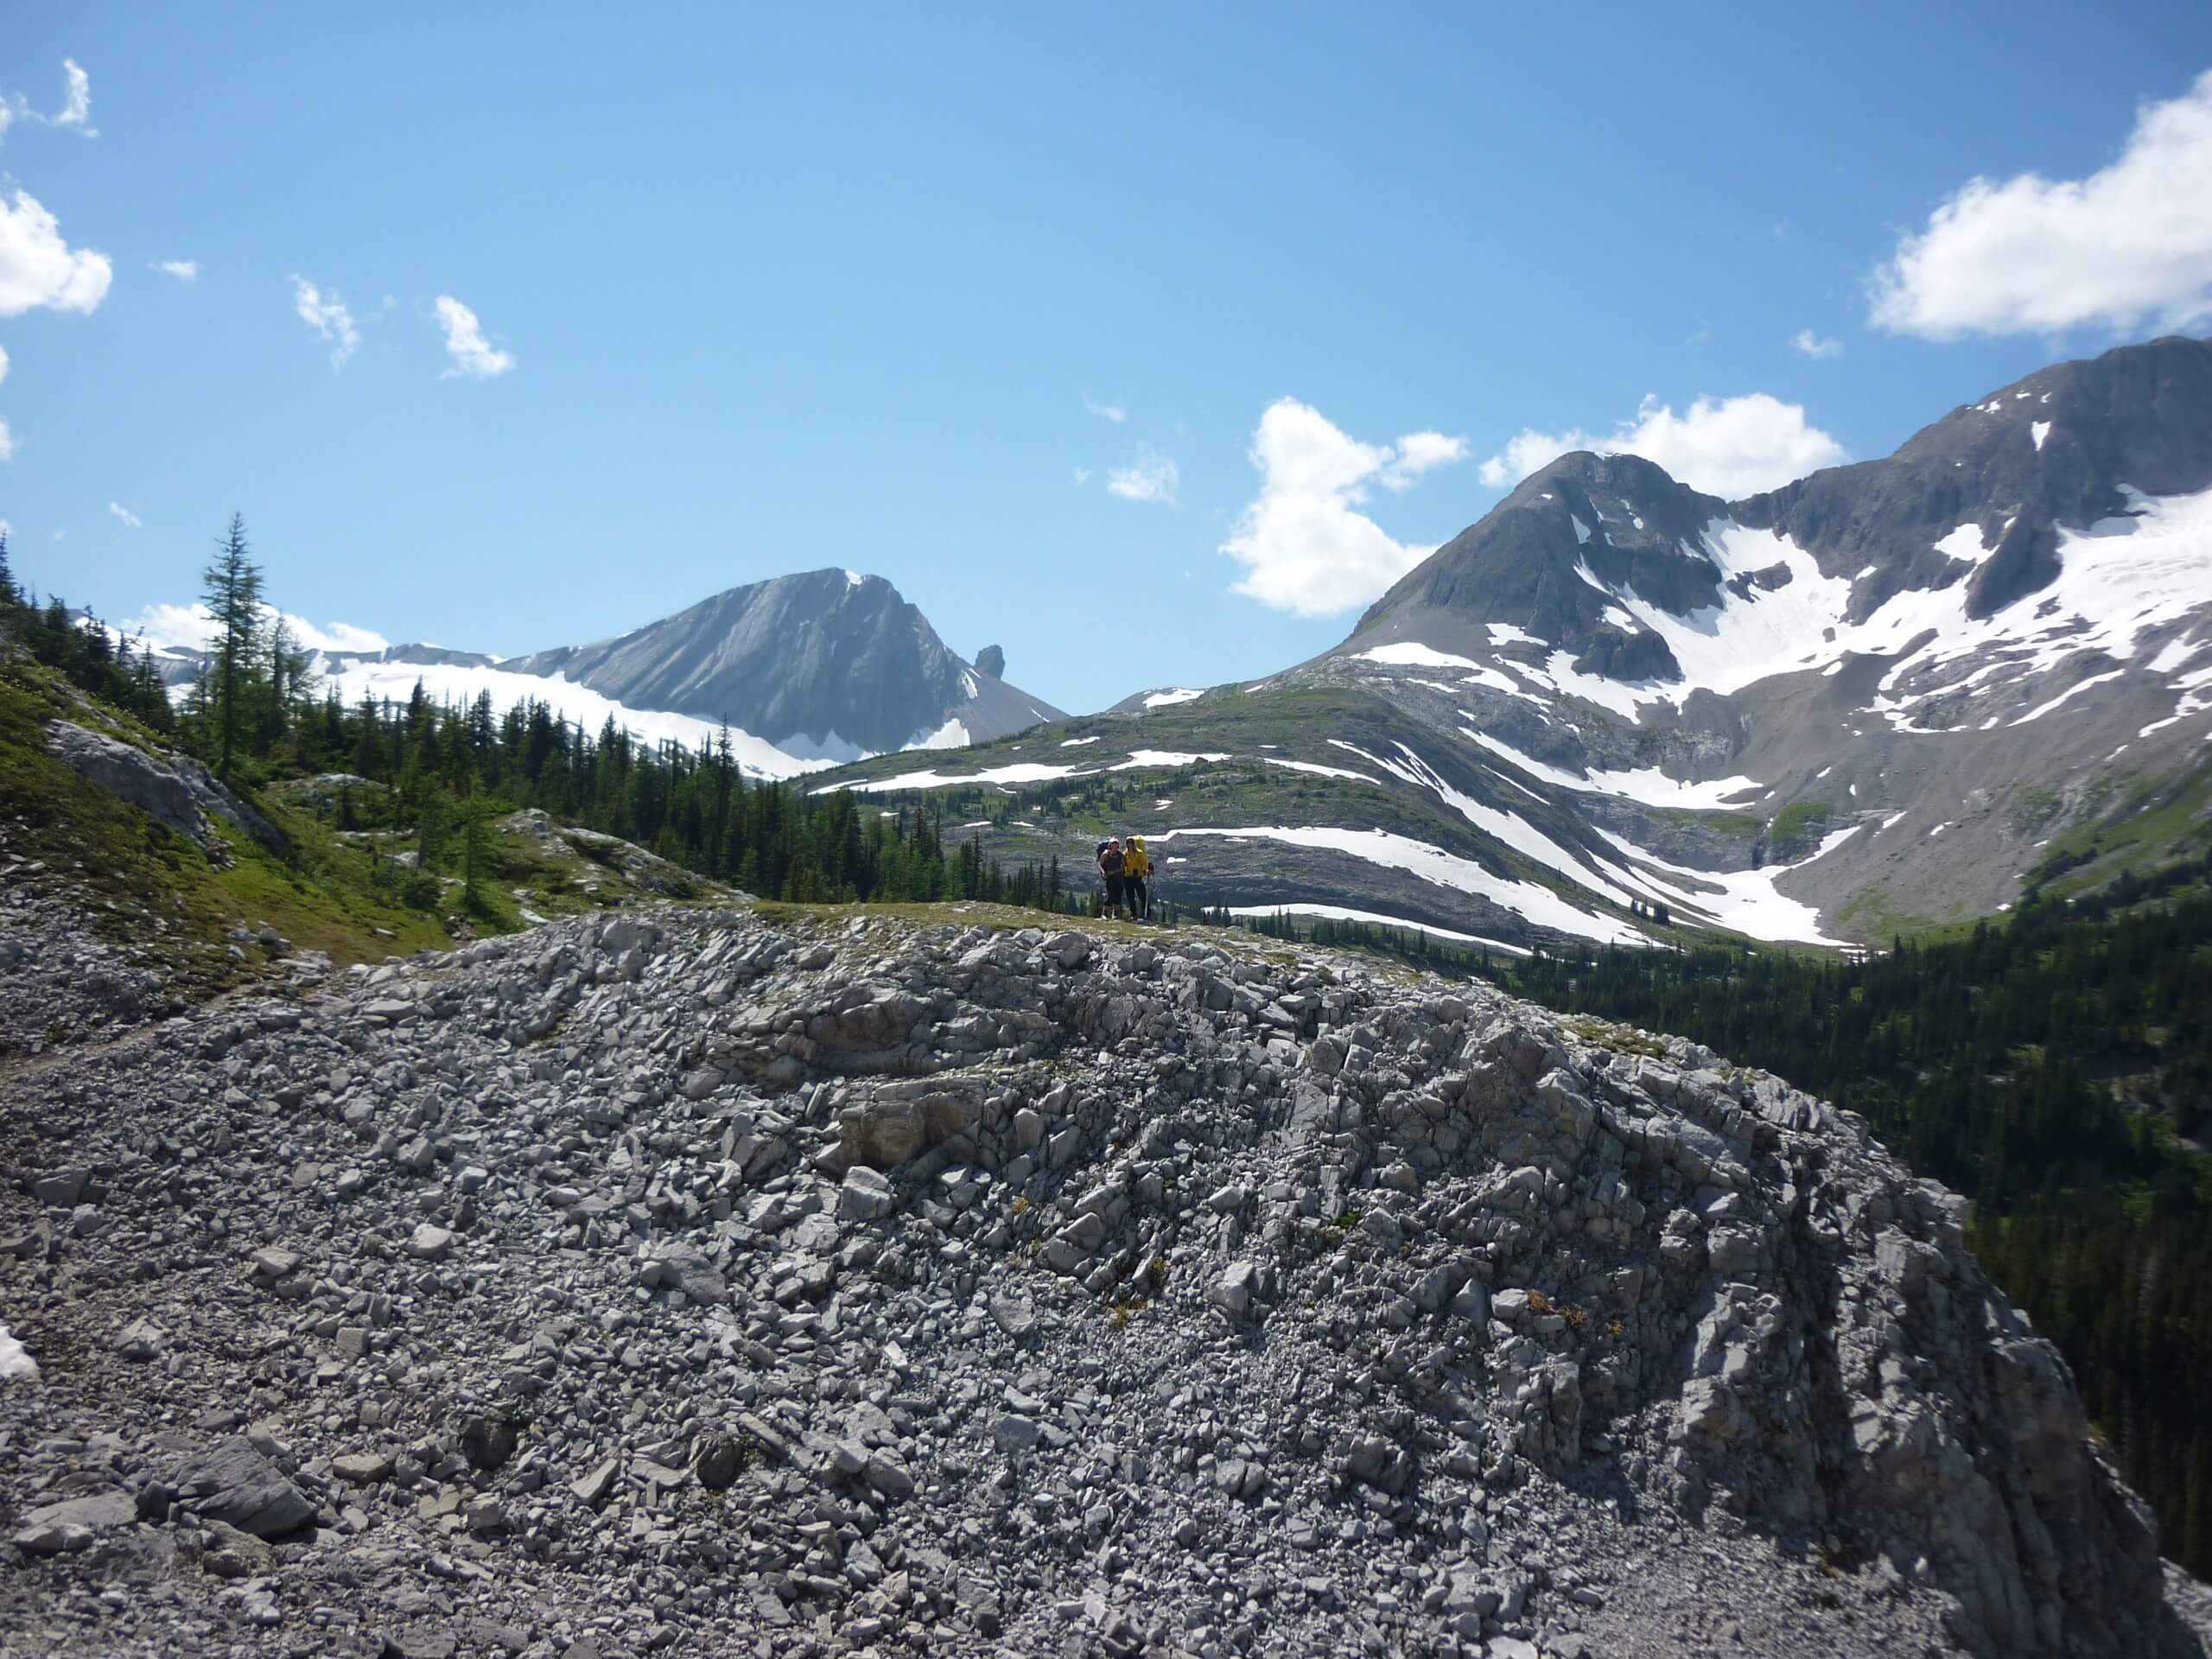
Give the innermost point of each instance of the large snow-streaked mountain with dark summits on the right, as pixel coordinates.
(1868, 700)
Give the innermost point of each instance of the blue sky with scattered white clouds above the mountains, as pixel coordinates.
(766, 291)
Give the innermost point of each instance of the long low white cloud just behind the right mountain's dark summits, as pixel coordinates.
(1722, 446)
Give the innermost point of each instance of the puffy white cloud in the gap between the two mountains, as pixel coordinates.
(1302, 543)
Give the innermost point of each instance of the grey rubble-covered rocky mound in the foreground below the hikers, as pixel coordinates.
(698, 1282)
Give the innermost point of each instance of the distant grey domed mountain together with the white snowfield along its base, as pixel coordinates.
(806, 669)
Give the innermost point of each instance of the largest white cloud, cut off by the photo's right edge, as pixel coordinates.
(2032, 255)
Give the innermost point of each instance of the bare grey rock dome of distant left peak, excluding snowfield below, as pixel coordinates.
(806, 662)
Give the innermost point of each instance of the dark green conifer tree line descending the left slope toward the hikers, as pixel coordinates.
(258, 713)
